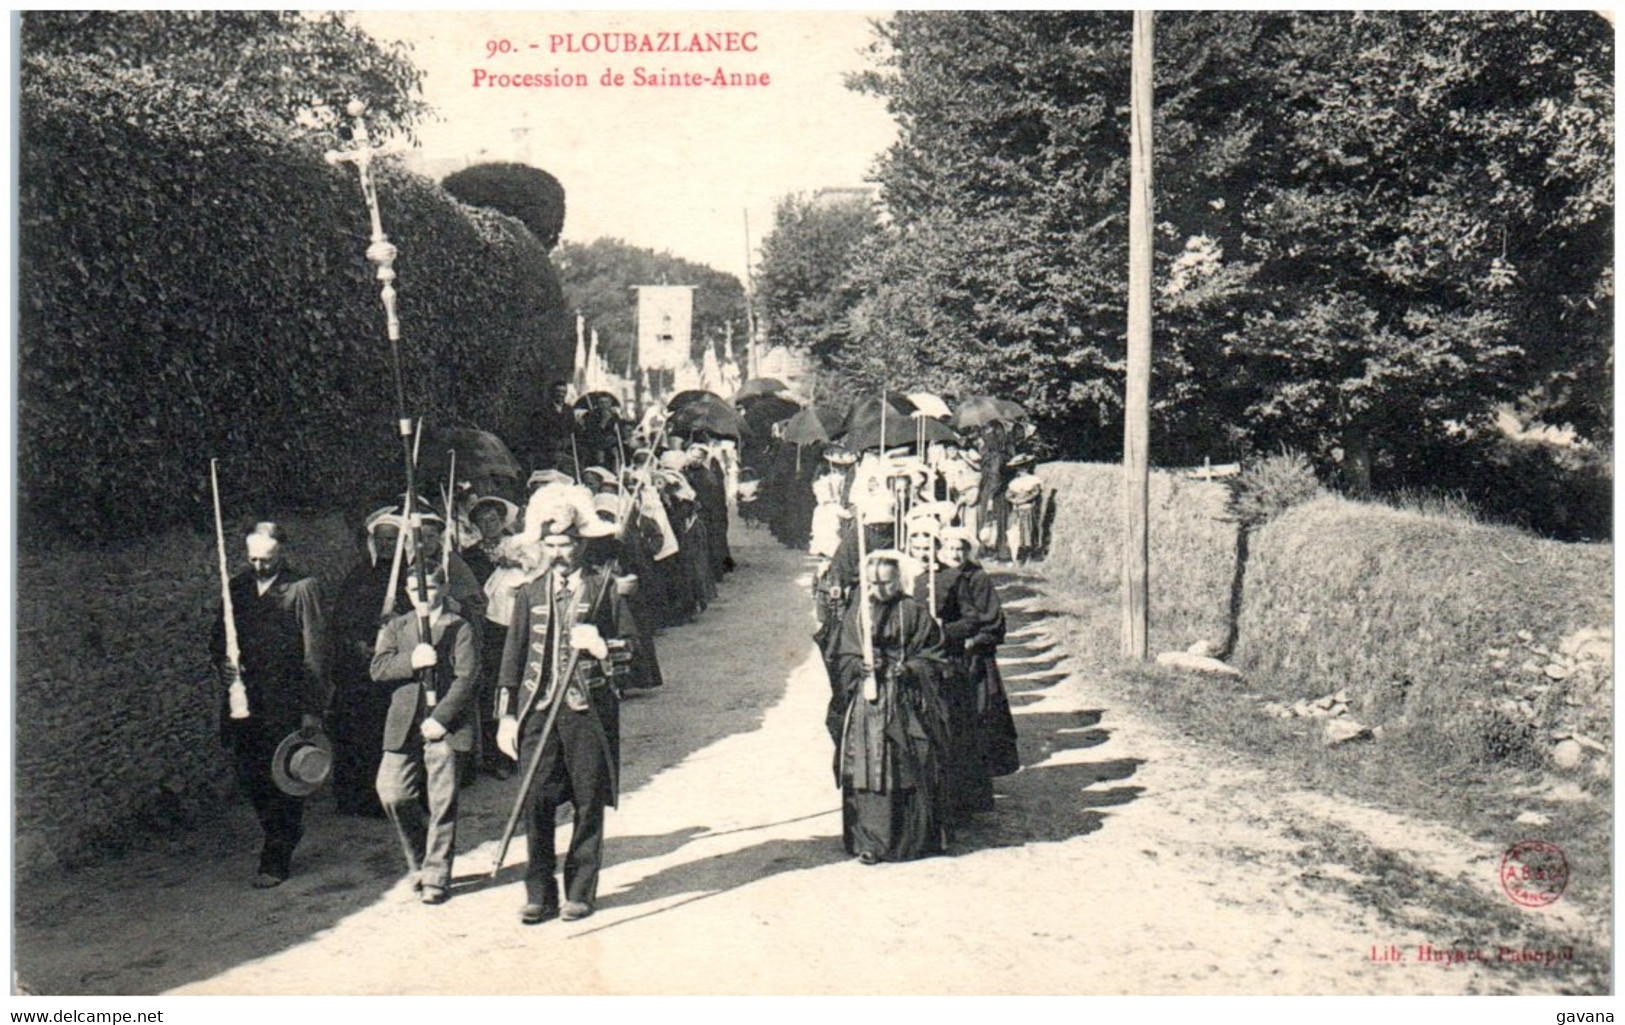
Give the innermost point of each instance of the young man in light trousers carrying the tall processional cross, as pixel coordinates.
(431, 722)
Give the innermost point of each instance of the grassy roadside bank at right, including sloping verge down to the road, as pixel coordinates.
(1471, 647)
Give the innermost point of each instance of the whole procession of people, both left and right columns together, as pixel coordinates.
(496, 631)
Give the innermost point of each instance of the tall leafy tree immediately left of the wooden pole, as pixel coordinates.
(1008, 191)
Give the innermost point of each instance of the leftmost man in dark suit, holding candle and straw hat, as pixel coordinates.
(284, 670)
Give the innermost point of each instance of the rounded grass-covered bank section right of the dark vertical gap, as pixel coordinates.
(1348, 594)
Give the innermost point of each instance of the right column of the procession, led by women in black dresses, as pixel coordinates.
(909, 620)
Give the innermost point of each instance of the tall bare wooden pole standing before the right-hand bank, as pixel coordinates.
(1137, 400)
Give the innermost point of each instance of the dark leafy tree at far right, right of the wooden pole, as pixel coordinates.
(1431, 225)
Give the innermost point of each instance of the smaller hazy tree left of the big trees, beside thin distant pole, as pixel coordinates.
(804, 282)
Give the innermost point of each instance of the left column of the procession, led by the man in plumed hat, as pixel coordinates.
(477, 636)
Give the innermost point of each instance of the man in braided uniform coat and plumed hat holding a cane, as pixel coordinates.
(571, 639)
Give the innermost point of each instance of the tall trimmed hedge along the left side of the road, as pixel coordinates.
(194, 287)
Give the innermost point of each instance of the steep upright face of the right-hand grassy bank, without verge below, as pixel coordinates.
(1473, 631)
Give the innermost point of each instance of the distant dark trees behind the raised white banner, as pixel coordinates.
(600, 277)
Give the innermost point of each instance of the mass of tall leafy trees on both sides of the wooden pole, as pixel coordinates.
(1372, 228)
